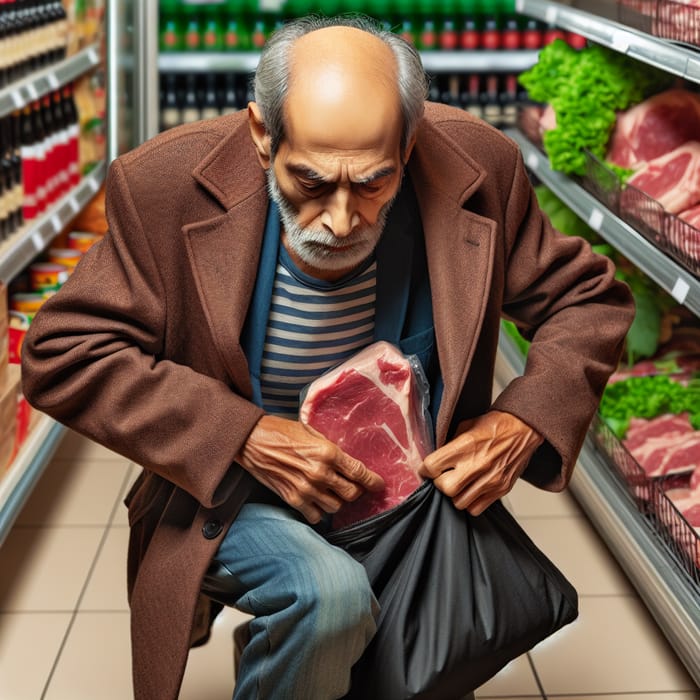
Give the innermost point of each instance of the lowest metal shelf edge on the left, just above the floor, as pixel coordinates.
(18, 481)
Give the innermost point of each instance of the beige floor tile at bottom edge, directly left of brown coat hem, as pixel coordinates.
(95, 663)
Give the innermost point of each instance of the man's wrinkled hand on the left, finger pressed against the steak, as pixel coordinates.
(306, 470)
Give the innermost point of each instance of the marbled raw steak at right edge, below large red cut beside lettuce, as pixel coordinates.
(672, 180)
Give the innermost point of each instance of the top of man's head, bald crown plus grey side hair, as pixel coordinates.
(339, 67)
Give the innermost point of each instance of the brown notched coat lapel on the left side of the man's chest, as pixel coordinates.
(224, 250)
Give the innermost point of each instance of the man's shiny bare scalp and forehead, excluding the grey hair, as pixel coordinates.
(343, 89)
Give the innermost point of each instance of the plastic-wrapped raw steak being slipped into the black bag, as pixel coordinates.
(370, 407)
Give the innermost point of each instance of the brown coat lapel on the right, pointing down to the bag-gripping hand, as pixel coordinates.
(459, 247)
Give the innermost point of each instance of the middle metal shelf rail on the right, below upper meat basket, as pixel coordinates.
(681, 284)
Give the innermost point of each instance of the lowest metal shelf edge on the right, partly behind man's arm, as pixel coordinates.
(670, 595)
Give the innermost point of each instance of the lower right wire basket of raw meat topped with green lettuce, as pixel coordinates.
(647, 427)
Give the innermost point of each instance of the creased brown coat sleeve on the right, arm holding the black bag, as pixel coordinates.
(566, 300)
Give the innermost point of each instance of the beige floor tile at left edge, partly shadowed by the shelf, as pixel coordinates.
(45, 568)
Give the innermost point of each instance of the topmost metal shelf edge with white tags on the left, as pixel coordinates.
(25, 91)
